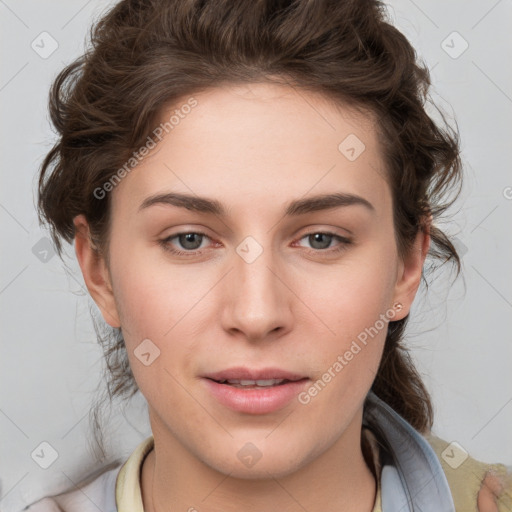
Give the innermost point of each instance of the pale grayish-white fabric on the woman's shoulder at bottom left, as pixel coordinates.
(96, 494)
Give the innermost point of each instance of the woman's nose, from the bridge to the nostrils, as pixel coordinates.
(258, 300)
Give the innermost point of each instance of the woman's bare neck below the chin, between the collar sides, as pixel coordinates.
(339, 479)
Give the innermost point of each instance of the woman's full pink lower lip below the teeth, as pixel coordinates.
(255, 400)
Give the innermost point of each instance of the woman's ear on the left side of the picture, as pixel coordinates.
(95, 272)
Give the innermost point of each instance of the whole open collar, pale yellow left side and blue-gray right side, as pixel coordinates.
(411, 477)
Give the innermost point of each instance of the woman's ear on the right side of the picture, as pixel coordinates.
(410, 270)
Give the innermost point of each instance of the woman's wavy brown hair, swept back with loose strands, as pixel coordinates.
(147, 54)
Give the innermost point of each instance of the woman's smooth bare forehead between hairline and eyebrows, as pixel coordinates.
(260, 141)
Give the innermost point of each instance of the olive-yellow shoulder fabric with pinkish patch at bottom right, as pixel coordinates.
(476, 486)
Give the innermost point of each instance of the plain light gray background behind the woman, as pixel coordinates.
(460, 336)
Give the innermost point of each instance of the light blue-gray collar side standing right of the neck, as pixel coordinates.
(412, 479)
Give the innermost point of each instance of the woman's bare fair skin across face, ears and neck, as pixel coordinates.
(254, 148)
